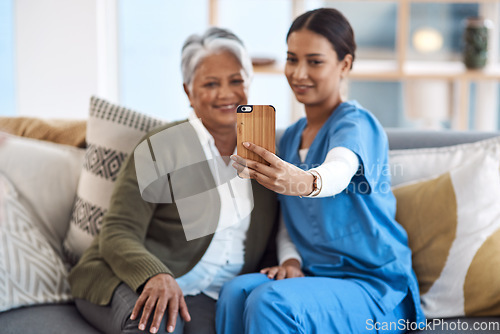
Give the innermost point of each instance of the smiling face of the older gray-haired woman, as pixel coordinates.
(217, 88)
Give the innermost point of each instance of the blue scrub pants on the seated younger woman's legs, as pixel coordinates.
(254, 304)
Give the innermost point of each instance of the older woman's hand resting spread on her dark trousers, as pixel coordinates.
(161, 291)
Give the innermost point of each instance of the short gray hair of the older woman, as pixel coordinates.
(214, 40)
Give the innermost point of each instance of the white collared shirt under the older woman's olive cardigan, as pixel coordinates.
(224, 258)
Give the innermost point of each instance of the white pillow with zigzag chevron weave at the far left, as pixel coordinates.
(31, 272)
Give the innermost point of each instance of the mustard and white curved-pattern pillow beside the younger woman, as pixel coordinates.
(453, 225)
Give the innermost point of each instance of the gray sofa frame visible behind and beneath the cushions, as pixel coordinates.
(64, 318)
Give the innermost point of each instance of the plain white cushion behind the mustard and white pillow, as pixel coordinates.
(423, 163)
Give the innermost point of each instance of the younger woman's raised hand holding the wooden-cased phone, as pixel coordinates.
(280, 176)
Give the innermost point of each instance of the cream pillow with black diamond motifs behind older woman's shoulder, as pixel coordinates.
(112, 134)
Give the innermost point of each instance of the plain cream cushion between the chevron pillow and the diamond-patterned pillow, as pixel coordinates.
(46, 174)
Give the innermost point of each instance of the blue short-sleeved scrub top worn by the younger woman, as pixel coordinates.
(353, 234)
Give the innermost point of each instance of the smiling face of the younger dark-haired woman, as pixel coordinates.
(313, 70)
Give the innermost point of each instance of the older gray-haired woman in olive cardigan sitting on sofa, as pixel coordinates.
(151, 268)
